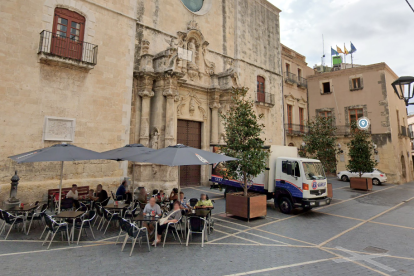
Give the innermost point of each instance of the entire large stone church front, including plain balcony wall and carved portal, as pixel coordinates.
(102, 74)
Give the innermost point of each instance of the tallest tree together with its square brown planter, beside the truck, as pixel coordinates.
(243, 142)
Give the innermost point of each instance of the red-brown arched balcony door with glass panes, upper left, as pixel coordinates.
(68, 31)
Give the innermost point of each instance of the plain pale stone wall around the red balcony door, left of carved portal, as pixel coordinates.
(98, 99)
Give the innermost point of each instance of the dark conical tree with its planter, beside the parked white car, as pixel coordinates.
(360, 158)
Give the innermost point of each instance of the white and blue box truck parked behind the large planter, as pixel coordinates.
(290, 180)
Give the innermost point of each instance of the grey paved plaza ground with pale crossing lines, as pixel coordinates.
(360, 233)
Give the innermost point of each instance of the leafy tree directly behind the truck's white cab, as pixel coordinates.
(320, 142)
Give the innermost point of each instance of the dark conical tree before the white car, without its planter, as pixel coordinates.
(360, 152)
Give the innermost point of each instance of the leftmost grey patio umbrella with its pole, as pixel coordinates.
(59, 152)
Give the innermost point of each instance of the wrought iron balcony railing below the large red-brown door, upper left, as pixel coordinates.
(54, 45)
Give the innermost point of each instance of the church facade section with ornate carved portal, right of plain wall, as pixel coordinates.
(186, 63)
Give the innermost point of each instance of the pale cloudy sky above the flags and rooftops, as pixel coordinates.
(381, 30)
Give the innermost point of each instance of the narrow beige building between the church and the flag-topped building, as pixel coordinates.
(295, 95)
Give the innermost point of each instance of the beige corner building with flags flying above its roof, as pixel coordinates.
(366, 91)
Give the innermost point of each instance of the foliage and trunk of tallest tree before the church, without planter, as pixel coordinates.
(243, 140)
